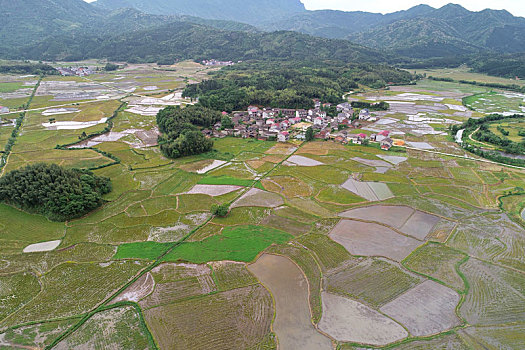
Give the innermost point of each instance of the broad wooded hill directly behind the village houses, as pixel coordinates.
(289, 84)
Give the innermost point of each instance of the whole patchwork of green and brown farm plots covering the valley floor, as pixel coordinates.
(324, 246)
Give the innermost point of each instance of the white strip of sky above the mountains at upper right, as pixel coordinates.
(516, 7)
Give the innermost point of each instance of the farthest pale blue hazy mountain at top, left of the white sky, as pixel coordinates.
(236, 10)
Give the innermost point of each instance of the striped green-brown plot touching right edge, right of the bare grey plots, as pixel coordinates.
(496, 294)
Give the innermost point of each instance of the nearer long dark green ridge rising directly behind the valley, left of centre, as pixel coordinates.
(182, 40)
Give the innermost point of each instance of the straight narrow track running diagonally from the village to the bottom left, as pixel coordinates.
(104, 304)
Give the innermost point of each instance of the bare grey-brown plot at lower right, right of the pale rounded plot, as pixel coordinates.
(426, 309)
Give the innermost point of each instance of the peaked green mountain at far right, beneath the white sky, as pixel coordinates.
(450, 30)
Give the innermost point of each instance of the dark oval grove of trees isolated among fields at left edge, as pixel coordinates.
(58, 193)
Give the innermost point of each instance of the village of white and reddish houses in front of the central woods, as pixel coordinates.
(285, 124)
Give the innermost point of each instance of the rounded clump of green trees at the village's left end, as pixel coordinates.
(181, 134)
